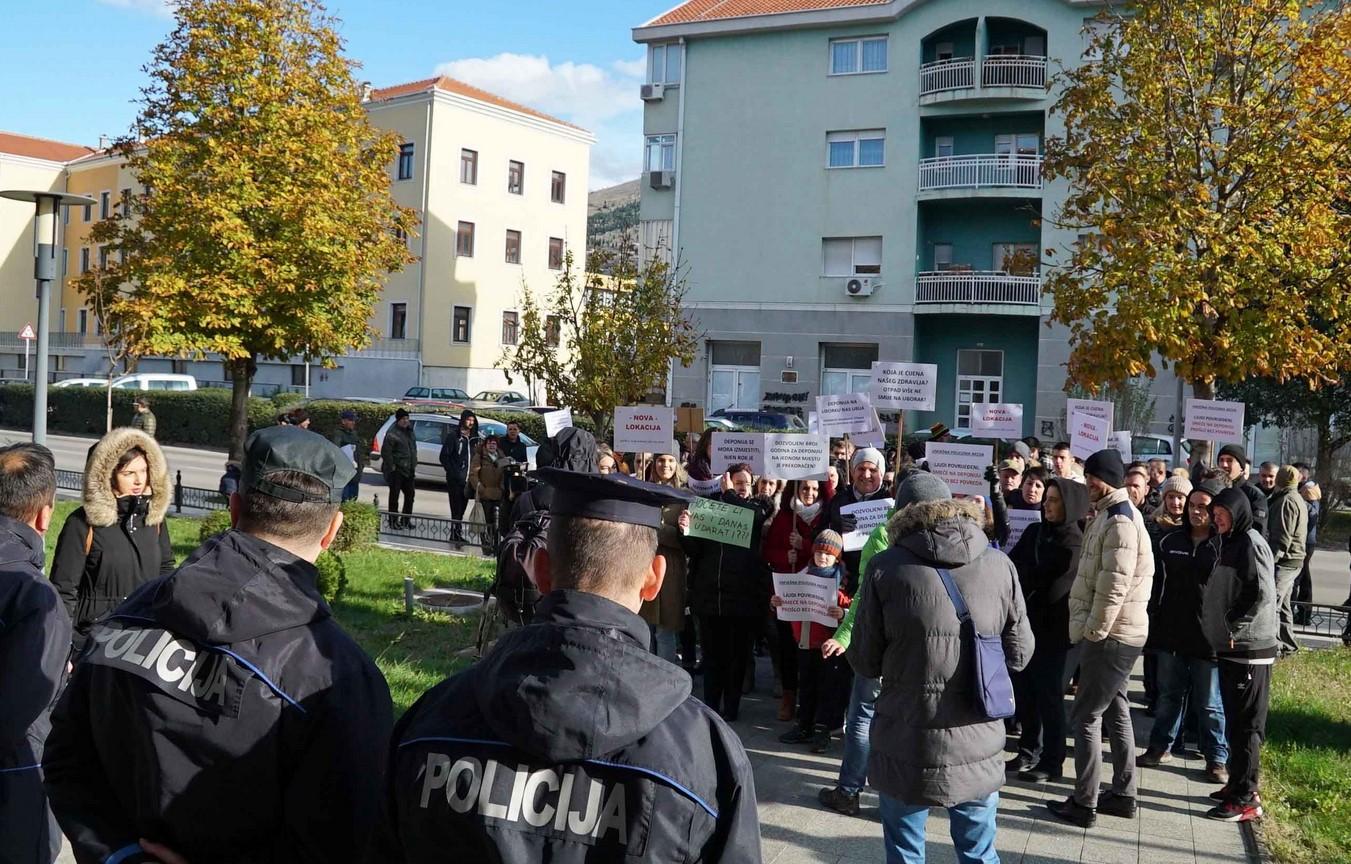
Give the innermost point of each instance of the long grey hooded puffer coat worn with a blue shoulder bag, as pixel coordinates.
(932, 743)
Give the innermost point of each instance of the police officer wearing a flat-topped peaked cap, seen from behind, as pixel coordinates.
(571, 742)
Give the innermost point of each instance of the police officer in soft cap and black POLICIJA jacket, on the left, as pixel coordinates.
(221, 713)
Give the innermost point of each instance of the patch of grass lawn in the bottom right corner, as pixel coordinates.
(1307, 759)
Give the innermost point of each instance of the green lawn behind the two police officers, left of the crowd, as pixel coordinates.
(413, 651)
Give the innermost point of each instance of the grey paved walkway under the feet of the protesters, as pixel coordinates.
(1171, 827)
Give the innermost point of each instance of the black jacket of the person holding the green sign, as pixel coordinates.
(728, 580)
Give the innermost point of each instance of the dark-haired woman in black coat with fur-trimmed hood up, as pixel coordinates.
(118, 539)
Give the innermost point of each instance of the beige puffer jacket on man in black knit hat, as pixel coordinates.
(1117, 570)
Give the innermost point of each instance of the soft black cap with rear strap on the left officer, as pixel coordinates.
(291, 449)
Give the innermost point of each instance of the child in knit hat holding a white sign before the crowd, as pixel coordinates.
(823, 684)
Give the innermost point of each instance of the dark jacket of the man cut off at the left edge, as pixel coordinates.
(34, 645)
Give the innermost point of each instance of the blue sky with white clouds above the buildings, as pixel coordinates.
(575, 60)
